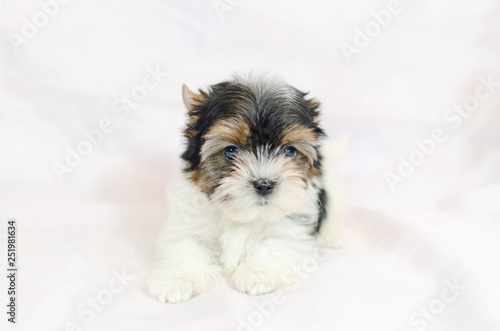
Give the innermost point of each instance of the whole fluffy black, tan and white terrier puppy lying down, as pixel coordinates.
(251, 202)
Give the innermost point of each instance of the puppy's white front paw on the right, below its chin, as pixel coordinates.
(259, 281)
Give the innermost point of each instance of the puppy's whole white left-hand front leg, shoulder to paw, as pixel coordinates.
(188, 264)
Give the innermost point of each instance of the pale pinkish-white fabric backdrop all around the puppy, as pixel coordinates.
(401, 248)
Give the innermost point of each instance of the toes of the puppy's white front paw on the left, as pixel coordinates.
(170, 291)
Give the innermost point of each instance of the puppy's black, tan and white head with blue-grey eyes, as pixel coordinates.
(252, 147)
